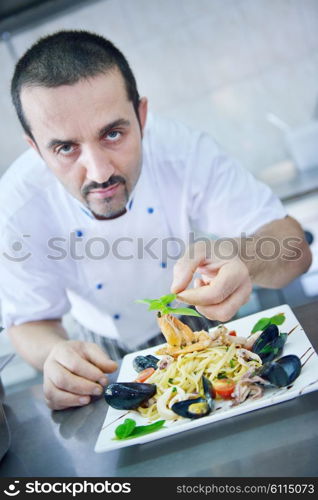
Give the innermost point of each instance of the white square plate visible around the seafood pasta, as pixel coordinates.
(297, 343)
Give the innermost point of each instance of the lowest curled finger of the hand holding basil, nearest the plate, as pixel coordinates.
(227, 309)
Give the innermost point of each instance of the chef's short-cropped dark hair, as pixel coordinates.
(64, 58)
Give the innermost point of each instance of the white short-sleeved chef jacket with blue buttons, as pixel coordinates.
(56, 257)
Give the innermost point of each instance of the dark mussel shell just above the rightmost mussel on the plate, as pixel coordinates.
(269, 344)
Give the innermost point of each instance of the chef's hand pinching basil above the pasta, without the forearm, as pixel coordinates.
(223, 287)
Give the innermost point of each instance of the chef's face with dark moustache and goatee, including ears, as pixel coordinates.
(89, 136)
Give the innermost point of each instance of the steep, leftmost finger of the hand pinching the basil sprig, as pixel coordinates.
(186, 266)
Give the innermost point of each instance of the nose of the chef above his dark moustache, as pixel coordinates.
(98, 165)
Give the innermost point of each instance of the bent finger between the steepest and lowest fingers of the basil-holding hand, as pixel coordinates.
(229, 278)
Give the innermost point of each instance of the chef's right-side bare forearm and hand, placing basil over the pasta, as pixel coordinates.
(225, 284)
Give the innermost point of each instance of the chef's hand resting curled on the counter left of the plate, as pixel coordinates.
(73, 372)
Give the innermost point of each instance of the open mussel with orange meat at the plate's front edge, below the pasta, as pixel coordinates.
(196, 407)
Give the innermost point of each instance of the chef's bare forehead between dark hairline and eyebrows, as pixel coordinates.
(70, 109)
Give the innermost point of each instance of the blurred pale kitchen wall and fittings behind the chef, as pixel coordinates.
(245, 71)
